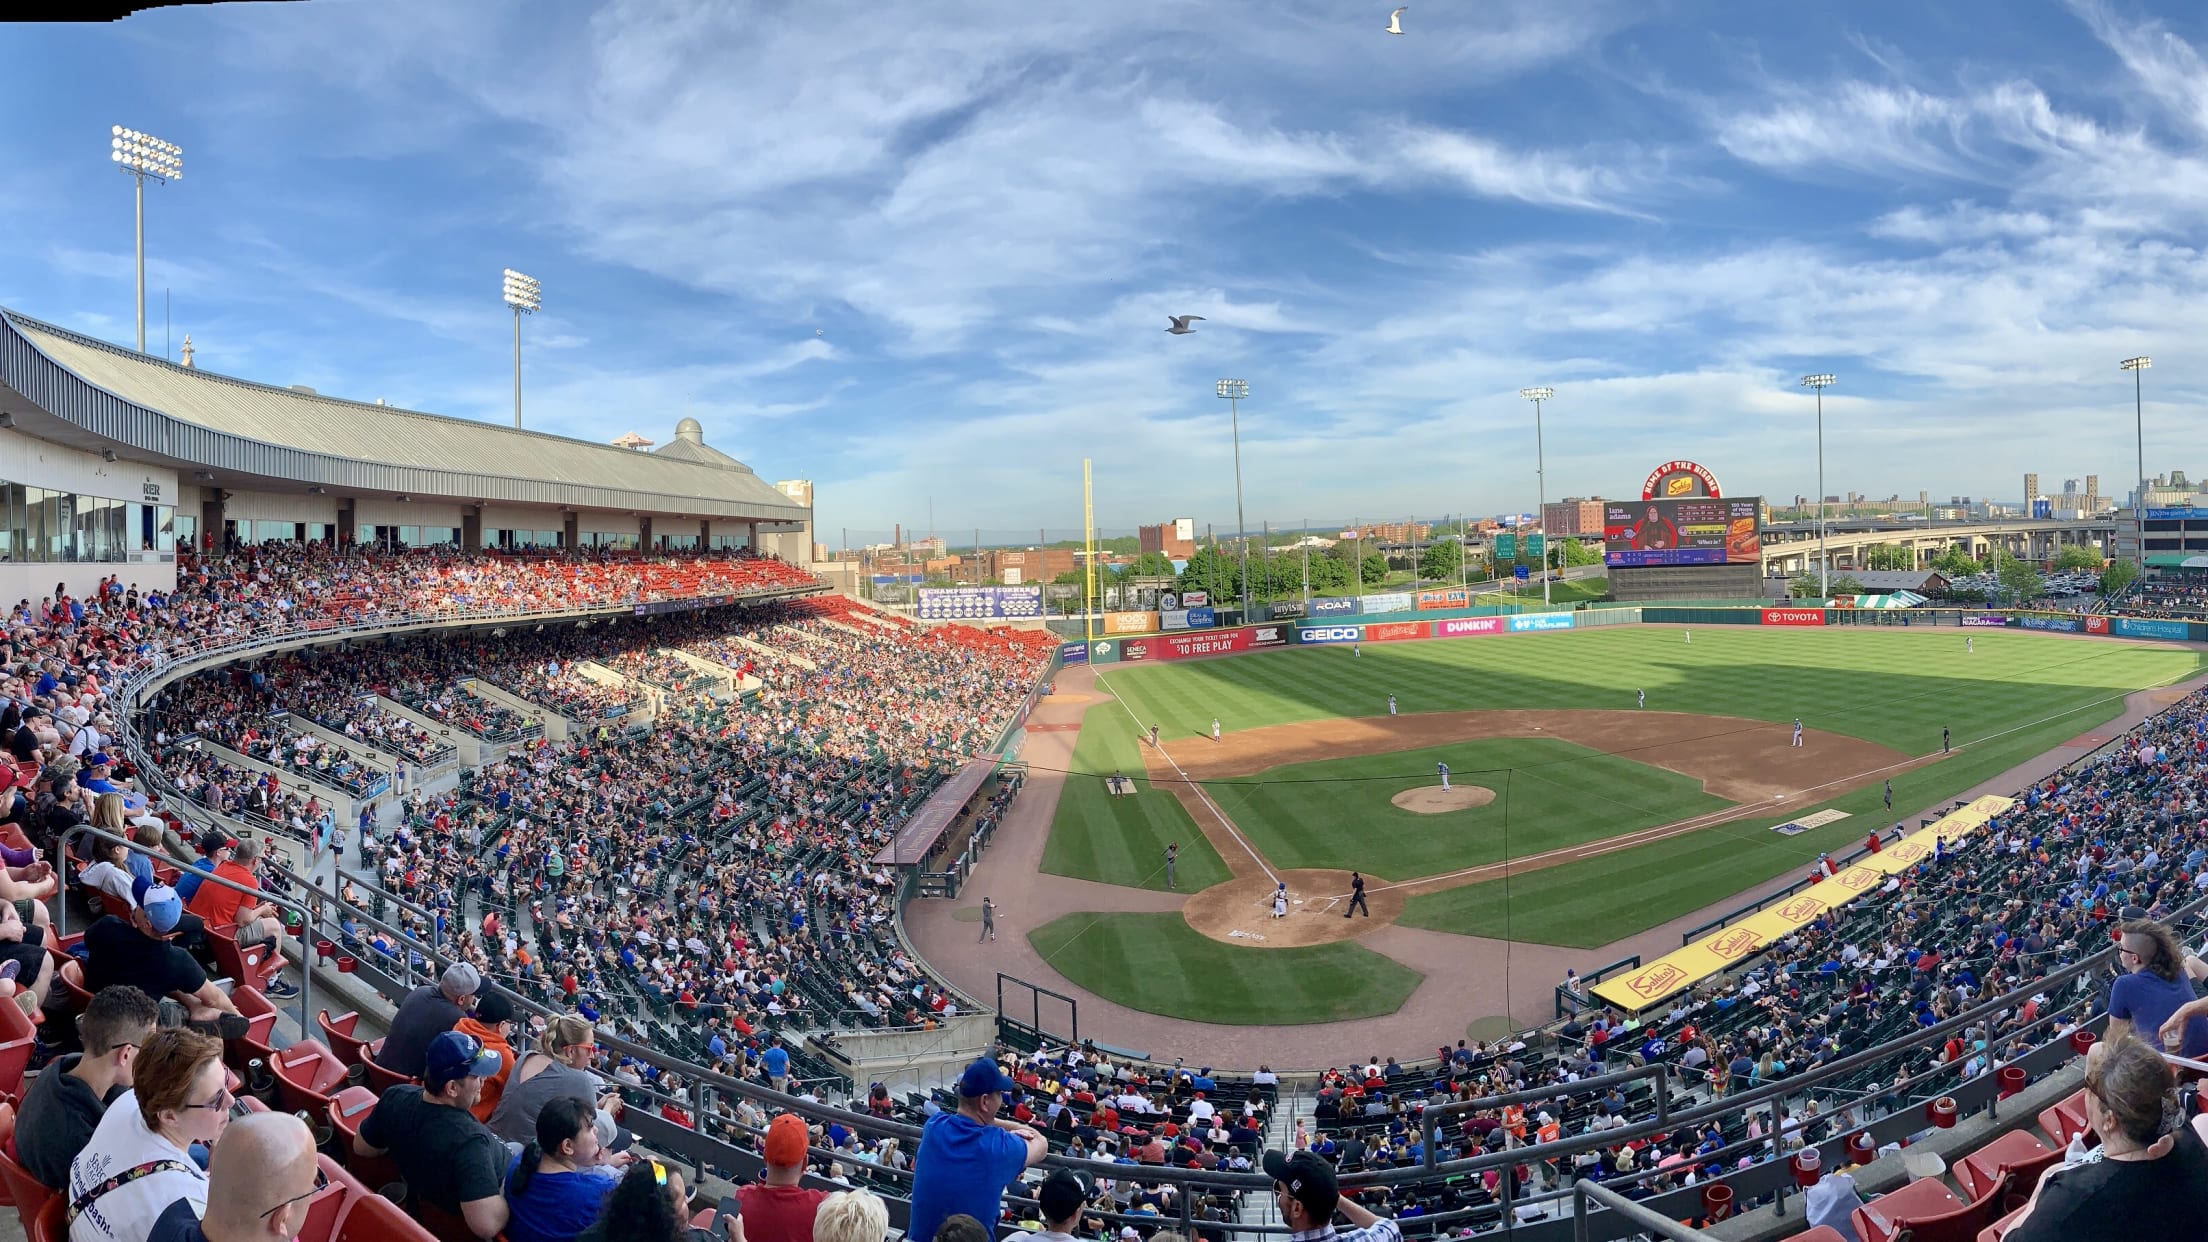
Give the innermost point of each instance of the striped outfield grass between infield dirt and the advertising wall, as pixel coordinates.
(1887, 686)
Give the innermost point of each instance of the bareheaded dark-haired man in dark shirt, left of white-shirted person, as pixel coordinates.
(72, 1095)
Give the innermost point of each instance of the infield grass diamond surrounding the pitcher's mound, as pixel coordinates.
(1549, 794)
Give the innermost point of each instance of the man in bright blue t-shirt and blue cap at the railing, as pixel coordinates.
(970, 1157)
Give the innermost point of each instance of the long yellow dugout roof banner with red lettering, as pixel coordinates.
(1726, 947)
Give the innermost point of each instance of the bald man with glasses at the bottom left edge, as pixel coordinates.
(259, 1181)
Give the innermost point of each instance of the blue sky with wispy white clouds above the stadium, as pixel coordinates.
(928, 251)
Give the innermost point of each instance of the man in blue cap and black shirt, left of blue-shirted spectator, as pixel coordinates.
(449, 1159)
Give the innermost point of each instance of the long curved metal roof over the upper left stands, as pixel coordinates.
(87, 394)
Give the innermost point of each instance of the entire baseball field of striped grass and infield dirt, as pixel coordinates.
(1575, 814)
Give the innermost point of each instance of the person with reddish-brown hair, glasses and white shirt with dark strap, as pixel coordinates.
(178, 1099)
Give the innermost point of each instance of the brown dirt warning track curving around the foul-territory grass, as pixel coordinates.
(1465, 976)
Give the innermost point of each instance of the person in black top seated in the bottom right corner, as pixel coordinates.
(2147, 1183)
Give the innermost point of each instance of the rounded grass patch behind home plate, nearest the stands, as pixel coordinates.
(1160, 965)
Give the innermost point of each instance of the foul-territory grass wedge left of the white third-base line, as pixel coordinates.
(1123, 841)
